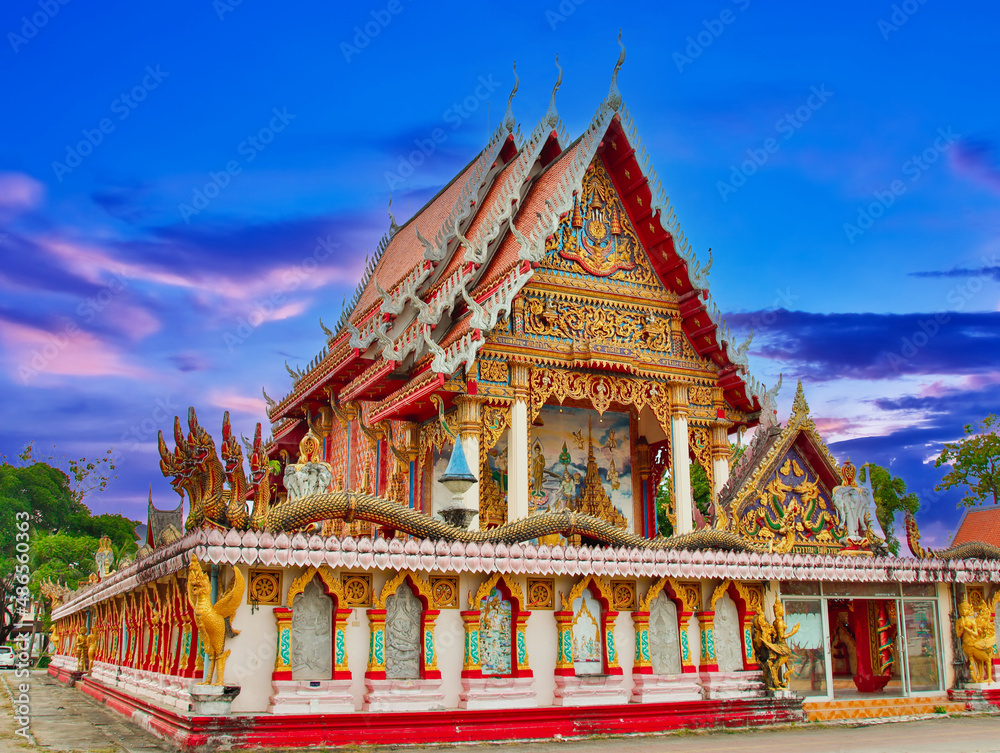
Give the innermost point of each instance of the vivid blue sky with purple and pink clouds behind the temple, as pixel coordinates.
(186, 188)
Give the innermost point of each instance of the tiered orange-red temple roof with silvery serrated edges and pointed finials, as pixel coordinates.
(438, 284)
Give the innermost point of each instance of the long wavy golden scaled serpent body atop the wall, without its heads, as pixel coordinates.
(352, 506)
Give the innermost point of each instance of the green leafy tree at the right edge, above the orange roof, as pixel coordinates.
(975, 463)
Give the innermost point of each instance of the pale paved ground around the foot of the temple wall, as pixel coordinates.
(64, 719)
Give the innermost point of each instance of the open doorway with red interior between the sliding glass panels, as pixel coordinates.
(865, 647)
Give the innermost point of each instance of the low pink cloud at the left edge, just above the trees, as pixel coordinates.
(33, 352)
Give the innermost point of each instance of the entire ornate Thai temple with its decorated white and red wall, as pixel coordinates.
(456, 511)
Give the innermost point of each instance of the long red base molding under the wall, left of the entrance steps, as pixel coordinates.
(460, 725)
